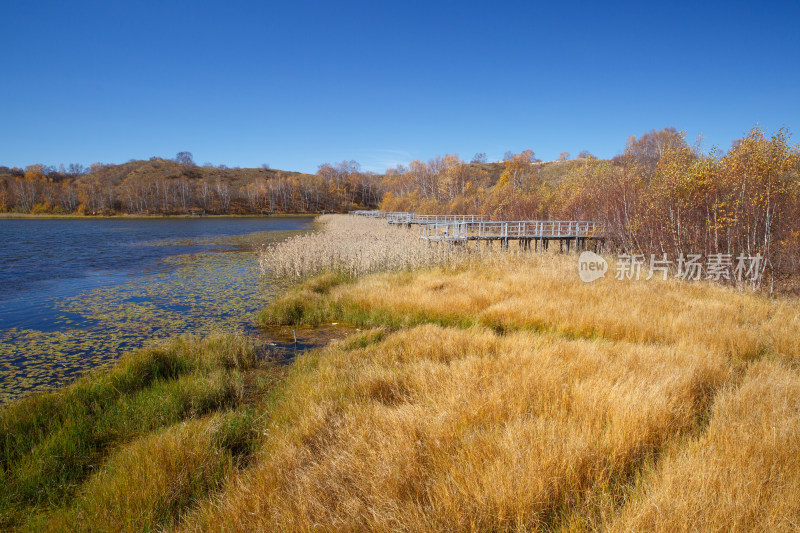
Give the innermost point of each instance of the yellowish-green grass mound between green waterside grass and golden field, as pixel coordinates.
(151, 482)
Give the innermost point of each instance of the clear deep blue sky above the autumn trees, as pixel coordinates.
(296, 84)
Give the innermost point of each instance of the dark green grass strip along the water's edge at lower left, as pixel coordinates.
(52, 442)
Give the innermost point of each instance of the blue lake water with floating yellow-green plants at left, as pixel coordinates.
(76, 294)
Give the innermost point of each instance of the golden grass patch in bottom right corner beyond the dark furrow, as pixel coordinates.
(743, 474)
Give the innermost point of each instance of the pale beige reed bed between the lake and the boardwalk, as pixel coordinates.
(355, 246)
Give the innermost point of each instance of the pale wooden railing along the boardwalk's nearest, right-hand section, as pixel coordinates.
(523, 229)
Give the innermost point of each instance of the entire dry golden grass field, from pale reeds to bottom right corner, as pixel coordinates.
(555, 405)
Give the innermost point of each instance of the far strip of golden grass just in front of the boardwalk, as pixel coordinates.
(543, 292)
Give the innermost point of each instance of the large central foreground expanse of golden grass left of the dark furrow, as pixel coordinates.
(450, 429)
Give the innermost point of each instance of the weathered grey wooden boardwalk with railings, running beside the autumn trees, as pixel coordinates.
(462, 229)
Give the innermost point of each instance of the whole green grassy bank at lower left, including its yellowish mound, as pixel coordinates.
(137, 444)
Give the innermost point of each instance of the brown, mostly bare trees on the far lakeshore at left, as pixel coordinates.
(179, 186)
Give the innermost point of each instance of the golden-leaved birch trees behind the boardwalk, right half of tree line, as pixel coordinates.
(660, 196)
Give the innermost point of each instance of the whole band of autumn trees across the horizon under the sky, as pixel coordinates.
(660, 196)
